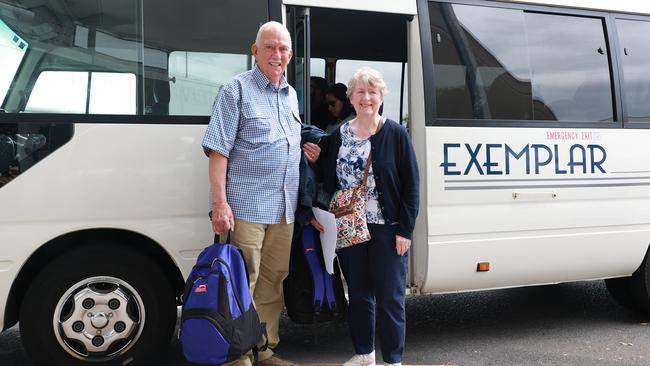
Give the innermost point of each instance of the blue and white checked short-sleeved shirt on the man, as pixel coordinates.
(257, 127)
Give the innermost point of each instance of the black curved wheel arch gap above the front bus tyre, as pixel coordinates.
(70, 241)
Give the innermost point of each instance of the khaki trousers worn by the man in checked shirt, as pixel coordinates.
(266, 249)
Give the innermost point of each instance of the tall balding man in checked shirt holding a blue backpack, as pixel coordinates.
(253, 145)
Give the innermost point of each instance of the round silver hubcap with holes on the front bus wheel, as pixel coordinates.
(98, 319)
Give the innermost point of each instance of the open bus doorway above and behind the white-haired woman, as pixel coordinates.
(333, 43)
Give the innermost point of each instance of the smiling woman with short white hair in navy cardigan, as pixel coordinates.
(375, 270)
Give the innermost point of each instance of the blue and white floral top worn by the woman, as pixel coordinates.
(350, 163)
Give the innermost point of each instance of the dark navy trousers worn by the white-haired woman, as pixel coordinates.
(376, 278)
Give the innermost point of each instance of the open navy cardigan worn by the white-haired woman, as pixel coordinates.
(395, 170)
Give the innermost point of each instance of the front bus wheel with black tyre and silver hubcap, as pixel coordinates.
(102, 305)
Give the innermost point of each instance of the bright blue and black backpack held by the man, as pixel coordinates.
(218, 321)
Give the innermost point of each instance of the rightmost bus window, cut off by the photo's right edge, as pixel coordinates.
(635, 52)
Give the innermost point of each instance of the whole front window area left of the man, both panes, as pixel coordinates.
(171, 55)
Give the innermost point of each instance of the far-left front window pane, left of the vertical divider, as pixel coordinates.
(66, 43)
